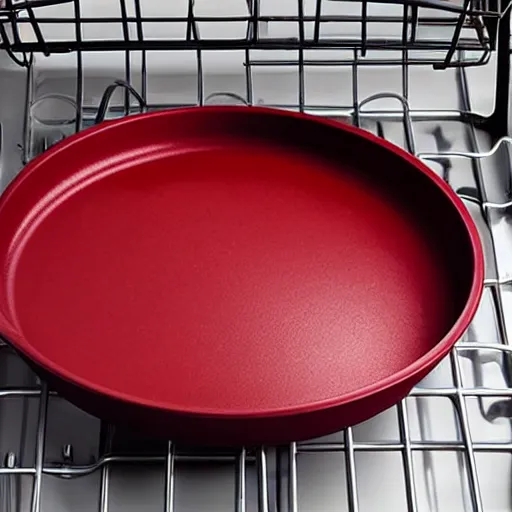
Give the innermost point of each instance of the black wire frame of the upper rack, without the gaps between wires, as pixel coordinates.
(479, 16)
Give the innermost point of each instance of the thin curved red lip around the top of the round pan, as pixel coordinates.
(427, 361)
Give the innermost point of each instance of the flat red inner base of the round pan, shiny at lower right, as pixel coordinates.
(231, 279)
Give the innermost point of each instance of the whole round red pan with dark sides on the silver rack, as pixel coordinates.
(234, 275)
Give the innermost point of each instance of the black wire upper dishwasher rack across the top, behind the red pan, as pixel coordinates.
(444, 33)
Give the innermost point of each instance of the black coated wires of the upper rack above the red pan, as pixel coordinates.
(481, 42)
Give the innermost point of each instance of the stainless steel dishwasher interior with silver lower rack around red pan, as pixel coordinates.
(447, 447)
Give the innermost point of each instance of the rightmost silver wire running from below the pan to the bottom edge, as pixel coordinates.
(460, 402)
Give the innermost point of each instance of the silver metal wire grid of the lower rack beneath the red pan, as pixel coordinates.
(457, 393)
